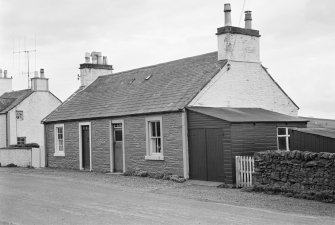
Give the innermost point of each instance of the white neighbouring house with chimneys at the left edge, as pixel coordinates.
(21, 112)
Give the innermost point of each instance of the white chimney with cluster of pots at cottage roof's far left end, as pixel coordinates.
(91, 70)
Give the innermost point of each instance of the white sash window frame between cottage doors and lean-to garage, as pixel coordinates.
(150, 155)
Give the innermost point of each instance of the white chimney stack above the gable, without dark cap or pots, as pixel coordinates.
(238, 47)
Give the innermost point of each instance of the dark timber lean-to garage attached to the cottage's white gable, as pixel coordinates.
(217, 135)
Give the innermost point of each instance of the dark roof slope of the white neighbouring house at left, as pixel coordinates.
(11, 99)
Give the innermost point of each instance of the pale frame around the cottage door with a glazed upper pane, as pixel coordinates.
(112, 145)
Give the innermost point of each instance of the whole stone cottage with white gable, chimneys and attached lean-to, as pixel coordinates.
(154, 118)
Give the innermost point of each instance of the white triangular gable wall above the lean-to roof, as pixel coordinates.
(245, 85)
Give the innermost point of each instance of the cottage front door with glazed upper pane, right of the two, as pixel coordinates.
(117, 147)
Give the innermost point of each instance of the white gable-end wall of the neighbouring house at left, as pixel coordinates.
(37, 106)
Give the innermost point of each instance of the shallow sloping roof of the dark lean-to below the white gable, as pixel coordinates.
(245, 114)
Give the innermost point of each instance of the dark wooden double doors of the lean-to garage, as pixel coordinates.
(206, 154)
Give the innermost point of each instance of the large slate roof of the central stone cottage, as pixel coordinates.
(159, 88)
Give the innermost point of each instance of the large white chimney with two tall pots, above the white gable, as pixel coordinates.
(236, 43)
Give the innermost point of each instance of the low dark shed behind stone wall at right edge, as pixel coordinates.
(313, 139)
